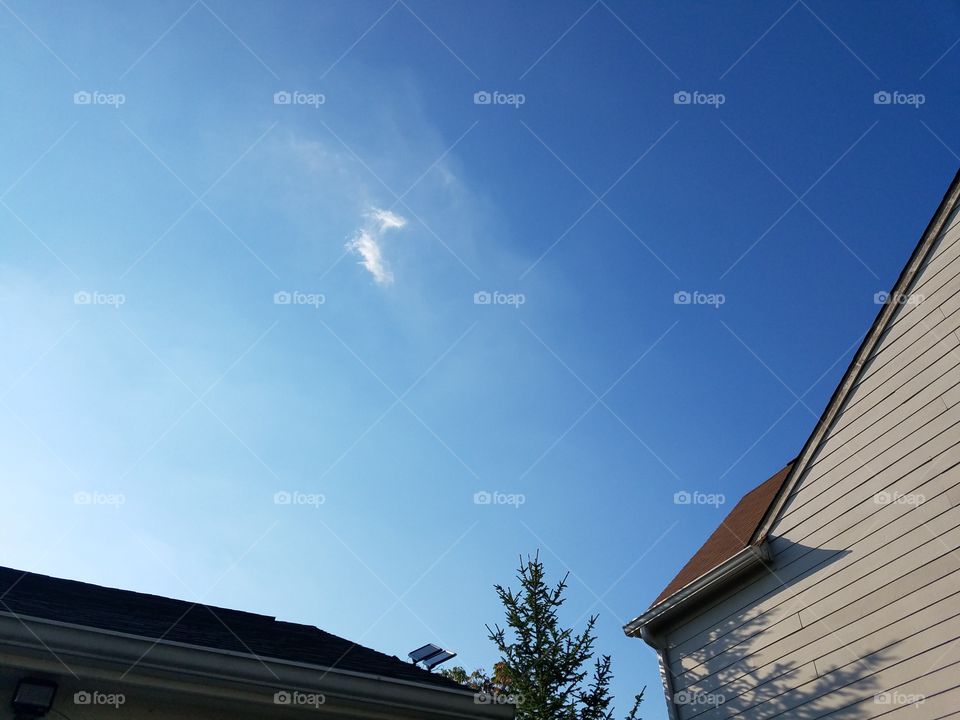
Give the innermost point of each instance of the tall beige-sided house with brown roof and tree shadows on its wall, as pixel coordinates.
(833, 588)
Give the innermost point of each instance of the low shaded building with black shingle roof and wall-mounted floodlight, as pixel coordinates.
(94, 650)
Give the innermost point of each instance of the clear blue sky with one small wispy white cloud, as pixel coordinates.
(148, 224)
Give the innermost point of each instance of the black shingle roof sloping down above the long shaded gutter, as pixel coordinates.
(156, 617)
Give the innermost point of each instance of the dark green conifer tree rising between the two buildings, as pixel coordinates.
(544, 667)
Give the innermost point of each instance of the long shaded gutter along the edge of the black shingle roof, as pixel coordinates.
(39, 644)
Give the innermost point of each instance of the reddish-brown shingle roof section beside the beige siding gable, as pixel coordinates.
(732, 536)
